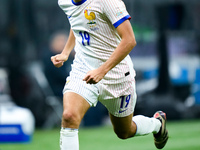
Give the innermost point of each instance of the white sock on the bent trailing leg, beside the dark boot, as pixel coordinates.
(146, 125)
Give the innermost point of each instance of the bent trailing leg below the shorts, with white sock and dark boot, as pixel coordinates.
(126, 127)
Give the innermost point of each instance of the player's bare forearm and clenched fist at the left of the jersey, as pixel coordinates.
(59, 59)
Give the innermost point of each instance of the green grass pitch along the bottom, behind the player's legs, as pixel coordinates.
(183, 135)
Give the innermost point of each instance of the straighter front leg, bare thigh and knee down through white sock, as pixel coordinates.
(74, 109)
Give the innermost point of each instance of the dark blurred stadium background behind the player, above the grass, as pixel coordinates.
(166, 59)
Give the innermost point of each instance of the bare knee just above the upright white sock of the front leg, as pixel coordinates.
(70, 119)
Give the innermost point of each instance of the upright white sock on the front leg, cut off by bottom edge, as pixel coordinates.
(69, 139)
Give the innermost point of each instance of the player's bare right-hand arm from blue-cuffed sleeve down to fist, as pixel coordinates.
(127, 43)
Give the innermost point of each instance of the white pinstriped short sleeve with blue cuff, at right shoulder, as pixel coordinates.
(116, 11)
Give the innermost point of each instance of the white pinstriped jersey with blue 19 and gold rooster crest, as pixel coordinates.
(94, 25)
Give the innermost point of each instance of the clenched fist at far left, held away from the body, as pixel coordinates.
(58, 60)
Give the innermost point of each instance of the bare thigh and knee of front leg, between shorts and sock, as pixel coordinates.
(74, 107)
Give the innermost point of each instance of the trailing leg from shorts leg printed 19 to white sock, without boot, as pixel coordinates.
(121, 114)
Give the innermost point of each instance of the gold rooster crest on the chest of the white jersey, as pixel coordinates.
(91, 17)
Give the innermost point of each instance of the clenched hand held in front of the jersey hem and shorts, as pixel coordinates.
(94, 76)
